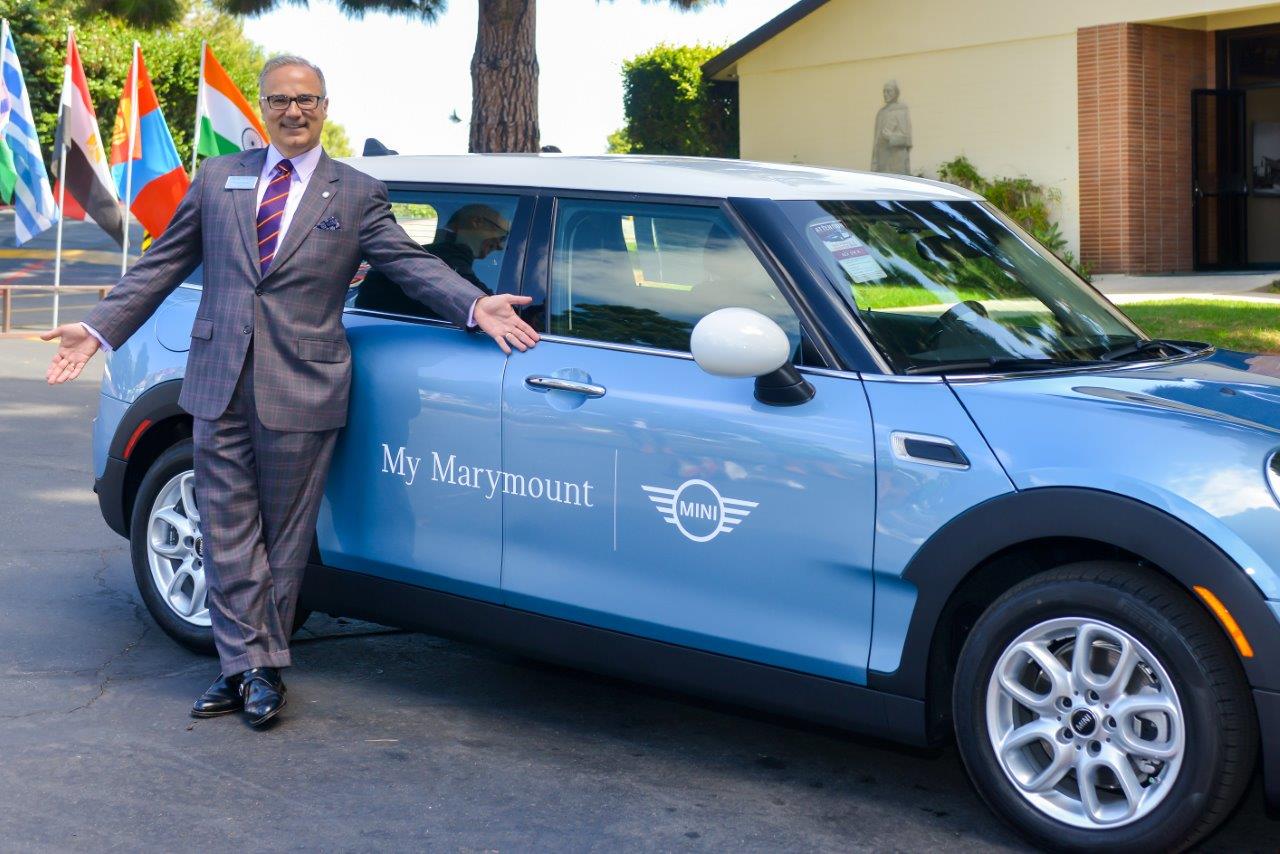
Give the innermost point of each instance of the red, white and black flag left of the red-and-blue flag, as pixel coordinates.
(89, 186)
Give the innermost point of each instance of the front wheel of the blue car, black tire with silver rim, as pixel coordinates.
(1183, 723)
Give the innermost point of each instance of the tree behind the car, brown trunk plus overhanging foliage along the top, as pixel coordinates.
(504, 68)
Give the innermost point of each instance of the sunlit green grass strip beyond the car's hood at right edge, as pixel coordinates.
(1252, 327)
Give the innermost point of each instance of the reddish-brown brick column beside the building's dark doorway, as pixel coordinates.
(1136, 86)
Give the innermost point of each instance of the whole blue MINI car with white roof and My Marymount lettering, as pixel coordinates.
(844, 446)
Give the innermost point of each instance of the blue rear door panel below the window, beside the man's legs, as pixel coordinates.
(418, 390)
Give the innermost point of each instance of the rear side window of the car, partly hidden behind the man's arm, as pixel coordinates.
(467, 231)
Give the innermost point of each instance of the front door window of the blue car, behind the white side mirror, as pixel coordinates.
(644, 275)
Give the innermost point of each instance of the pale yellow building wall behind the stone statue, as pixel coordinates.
(995, 81)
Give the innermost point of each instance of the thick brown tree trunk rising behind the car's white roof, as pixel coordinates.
(505, 79)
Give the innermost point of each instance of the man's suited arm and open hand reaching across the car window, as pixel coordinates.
(435, 284)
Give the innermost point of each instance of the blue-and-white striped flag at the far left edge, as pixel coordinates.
(22, 168)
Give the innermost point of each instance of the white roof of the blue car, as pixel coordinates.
(706, 177)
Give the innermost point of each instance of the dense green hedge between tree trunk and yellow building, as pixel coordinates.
(671, 109)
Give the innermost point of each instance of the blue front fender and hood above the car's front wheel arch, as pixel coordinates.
(1190, 439)
